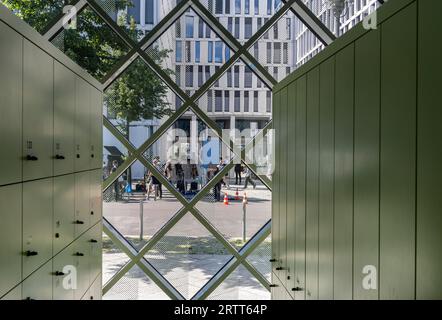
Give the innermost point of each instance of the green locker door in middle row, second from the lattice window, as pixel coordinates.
(82, 203)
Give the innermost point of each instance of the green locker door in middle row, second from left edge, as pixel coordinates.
(37, 224)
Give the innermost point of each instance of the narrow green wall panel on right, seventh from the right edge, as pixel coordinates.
(300, 192)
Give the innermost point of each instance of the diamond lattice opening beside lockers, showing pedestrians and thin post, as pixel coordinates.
(140, 211)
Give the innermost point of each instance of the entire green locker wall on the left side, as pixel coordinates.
(50, 176)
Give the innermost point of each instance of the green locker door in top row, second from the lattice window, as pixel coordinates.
(82, 129)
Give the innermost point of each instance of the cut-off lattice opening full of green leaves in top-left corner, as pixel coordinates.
(38, 14)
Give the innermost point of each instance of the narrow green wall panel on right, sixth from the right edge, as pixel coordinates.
(312, 186)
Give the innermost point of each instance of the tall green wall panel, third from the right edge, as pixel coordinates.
(366, 161)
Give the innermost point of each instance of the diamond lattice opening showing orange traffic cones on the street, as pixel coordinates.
(238, 221)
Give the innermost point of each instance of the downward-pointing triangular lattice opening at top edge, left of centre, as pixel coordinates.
(137, 17)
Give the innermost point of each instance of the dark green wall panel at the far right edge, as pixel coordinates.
(429, 187)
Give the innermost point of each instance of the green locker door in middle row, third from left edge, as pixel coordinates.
(64, 211)
